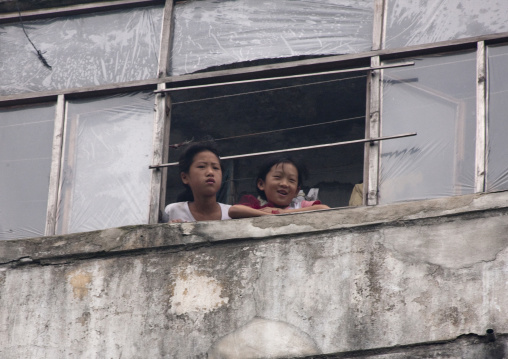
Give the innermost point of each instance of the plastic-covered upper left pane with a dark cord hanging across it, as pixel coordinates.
(85, 50)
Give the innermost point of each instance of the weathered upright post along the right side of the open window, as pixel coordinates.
(371, 183)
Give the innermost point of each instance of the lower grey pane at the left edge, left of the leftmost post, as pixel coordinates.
(26, 138)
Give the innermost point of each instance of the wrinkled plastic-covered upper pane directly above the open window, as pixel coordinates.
(212, 33)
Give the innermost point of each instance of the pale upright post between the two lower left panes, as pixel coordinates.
(56, 160)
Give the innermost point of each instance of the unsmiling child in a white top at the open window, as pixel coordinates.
(201, 174)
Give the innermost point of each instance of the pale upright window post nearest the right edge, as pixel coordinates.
(481, 118)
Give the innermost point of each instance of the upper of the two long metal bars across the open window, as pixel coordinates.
(355, 69)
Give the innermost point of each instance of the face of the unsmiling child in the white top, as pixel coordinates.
(205, 175)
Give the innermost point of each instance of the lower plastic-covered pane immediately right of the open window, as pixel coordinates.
(436, 99)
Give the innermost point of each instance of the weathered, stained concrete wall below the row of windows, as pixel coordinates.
(421, 279)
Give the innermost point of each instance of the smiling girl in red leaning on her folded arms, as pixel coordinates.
(278, 182)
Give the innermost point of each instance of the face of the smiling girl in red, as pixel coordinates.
(280, 185)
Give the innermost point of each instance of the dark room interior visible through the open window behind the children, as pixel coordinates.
(276, 115)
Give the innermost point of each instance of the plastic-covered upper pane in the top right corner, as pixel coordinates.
(414, 22)
